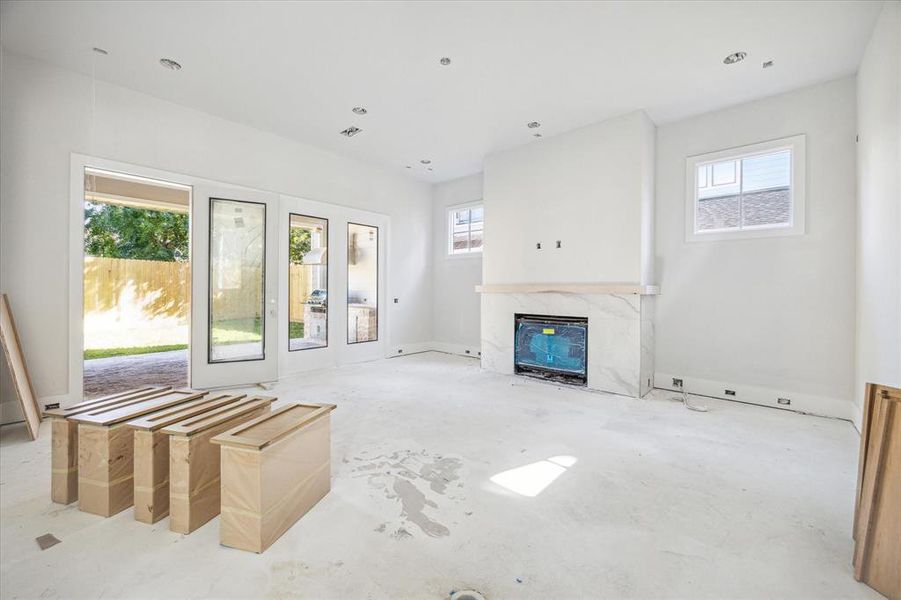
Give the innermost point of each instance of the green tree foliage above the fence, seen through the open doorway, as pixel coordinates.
(115, 231)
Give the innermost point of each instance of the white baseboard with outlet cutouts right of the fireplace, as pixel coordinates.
(812, 404)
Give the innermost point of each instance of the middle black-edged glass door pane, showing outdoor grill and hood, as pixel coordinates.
(307, 283)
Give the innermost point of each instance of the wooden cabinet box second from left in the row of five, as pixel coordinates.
(106, 450)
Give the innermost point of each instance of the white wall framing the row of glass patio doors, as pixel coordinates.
(46, 114)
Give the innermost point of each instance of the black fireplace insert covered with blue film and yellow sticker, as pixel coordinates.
(551, 347)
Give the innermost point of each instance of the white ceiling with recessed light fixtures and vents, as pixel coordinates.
(297, 69)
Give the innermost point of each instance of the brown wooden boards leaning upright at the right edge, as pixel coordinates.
(877, 526)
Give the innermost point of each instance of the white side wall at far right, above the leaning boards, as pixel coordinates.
(878, 355)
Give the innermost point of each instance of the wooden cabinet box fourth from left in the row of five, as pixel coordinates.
(194, 473)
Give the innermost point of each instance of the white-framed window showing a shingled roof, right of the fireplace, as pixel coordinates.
(752, 191)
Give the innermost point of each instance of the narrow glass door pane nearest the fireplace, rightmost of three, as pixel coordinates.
(362, 283)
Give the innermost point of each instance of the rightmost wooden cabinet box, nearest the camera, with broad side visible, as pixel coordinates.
(274, 469)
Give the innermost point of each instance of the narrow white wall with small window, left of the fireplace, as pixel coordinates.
(455, 303)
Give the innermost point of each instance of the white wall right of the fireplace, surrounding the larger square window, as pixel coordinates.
(773, 316)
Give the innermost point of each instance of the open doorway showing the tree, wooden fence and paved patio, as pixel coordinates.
(137, 283)
